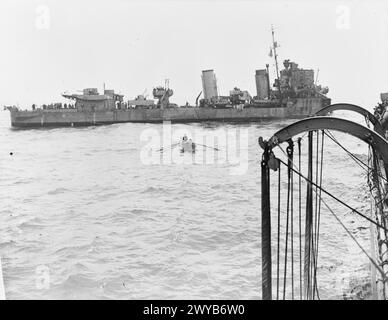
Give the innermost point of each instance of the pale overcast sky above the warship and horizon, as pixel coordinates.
(49, 47)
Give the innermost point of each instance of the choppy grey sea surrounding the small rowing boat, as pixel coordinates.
(82, 217)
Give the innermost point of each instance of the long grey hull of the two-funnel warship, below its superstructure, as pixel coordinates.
(70, 117)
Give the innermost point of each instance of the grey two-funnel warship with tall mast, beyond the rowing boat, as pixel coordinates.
(294, 94)
